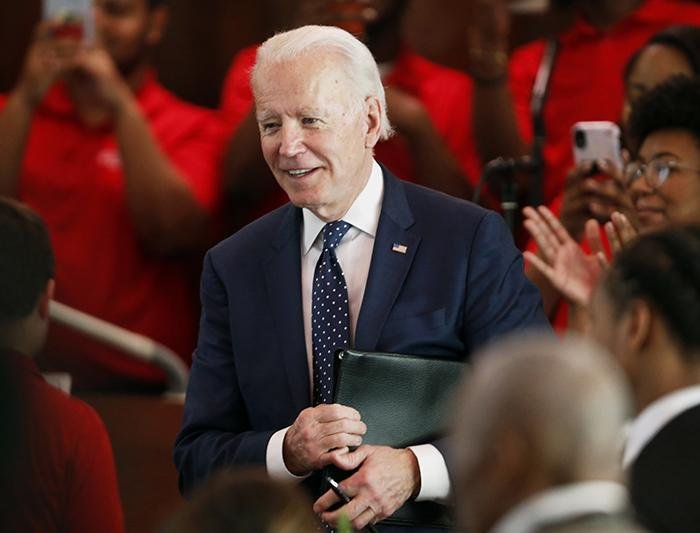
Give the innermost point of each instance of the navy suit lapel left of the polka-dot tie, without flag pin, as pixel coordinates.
(283, 279)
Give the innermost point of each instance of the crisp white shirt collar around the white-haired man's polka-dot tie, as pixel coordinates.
(363, 213)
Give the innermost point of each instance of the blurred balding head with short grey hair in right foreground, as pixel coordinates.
(536, 415)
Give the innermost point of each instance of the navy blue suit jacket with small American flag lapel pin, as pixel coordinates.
(459, 284)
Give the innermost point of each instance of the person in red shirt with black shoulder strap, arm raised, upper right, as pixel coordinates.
(586, 77)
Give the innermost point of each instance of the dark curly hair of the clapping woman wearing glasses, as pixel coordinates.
(673, 104)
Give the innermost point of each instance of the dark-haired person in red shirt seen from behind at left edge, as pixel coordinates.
(59, 475)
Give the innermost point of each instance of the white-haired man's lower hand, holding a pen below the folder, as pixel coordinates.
(387, 478)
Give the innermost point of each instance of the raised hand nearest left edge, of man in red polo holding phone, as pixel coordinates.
(47, 60)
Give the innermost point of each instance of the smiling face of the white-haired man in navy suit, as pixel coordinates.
(317, 135)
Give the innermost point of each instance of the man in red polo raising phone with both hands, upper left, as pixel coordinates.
(124, 174)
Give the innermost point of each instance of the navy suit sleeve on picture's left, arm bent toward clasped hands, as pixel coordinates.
(216, 431)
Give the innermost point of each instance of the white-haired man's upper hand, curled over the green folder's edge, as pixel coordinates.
(320, 435)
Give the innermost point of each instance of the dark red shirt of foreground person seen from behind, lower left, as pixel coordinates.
(64, 478)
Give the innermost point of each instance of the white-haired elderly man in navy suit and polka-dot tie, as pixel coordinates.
(357, 258)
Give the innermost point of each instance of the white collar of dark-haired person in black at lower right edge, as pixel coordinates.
(654, 417)
